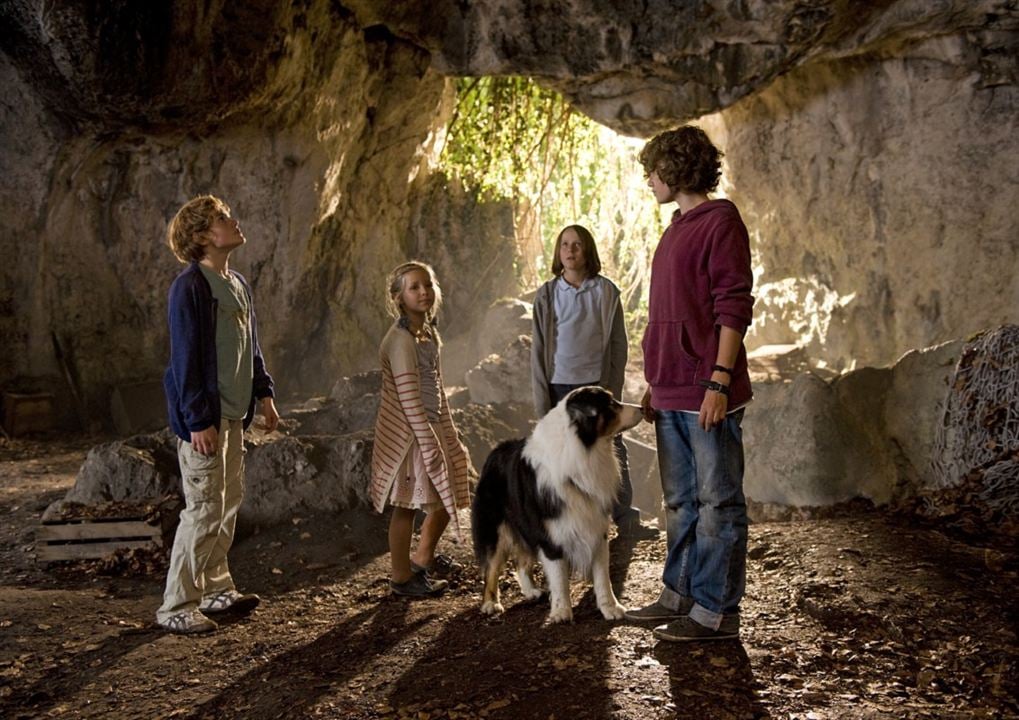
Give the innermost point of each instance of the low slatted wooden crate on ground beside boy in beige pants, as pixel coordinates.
(92, 539)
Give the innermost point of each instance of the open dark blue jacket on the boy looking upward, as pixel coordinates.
(191, 380)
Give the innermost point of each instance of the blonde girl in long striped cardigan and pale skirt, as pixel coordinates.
(418, 461)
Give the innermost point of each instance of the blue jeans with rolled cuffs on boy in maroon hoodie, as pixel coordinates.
(706, 513)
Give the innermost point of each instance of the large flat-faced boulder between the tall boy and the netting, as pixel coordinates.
(866, 434)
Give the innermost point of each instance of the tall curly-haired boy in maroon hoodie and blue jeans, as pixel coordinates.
(696, 369)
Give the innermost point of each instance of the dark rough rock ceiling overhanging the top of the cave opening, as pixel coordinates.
(637, 67)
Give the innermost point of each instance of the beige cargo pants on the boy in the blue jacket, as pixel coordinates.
(213, 487)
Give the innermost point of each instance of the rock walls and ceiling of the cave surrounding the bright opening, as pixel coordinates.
(851, 131)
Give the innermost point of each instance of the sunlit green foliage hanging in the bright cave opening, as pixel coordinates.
(512, 140)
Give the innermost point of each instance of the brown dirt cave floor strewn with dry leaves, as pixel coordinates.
(857, 616)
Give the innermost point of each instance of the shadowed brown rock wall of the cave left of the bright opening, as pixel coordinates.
(321, 149)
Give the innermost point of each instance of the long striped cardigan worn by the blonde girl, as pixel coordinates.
(406, 440)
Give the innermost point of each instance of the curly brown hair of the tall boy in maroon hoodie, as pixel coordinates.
(685, 159)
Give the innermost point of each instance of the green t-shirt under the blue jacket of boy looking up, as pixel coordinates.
(234, 344)
